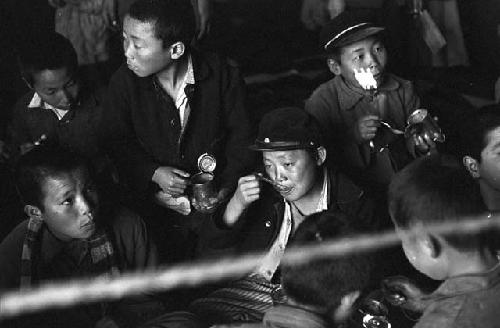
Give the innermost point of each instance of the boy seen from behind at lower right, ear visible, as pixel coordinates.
(433, 190)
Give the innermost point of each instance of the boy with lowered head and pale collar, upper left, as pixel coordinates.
(60, 109)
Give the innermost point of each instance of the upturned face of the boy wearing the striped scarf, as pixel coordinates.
(70, 204)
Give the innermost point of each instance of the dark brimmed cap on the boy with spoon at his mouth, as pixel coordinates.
(287, 128)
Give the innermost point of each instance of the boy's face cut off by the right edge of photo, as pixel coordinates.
(489, 166)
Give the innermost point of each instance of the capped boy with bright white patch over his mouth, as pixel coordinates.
(352, 107)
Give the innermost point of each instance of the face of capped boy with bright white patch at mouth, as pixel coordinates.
(369, 54)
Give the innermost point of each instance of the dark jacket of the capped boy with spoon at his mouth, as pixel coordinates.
(260, 223)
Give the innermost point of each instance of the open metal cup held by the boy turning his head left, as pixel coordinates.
(204, 193)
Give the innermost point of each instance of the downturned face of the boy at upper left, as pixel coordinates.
(58, 87)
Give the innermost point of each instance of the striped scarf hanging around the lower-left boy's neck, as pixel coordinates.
(101, 252)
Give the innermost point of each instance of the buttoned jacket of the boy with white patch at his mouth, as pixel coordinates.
(338, 107)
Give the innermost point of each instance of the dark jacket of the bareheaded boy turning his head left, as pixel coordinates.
(142, 125)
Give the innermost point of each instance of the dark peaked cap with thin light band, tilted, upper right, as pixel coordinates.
(345, 29)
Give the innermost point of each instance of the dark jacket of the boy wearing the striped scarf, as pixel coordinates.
(133, 252)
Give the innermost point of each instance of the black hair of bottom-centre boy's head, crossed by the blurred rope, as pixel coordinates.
(324, 282)
